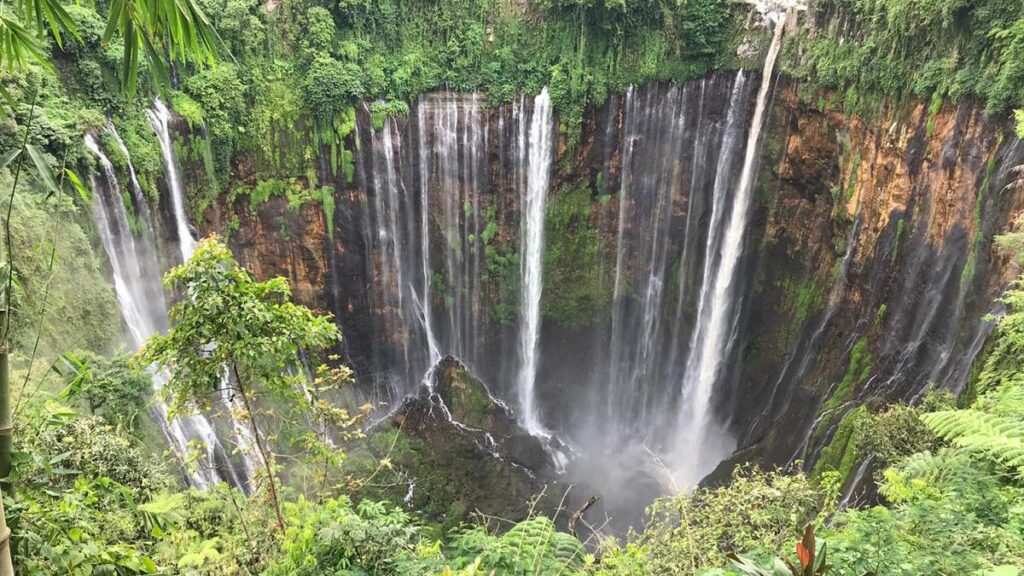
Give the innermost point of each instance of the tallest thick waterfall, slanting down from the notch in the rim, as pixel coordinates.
(703, 442)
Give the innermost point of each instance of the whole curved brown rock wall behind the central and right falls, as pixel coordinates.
(869, 260)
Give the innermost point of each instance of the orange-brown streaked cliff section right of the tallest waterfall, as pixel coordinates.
(886, 226)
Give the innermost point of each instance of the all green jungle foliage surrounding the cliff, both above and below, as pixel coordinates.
(95, 489)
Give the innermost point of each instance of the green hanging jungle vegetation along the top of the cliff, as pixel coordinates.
(293, 73)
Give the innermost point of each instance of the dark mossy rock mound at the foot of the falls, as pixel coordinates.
(468, 456)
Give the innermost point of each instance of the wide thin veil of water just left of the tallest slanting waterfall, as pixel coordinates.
(678, 149)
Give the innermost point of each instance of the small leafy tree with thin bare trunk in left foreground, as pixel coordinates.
(229, 320)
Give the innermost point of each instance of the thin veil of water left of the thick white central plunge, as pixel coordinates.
(429, 293)
